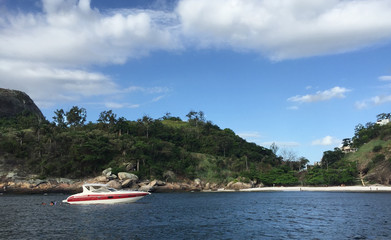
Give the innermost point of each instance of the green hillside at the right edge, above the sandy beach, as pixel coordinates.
(365, 157)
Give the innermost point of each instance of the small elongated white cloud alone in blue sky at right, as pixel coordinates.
(335, 92)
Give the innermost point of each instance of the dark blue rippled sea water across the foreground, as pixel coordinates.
(259, 215)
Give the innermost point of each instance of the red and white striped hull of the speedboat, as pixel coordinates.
(105, 198)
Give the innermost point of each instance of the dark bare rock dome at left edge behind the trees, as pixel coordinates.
(13, 103)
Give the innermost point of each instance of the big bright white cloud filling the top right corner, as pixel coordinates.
(286, 29)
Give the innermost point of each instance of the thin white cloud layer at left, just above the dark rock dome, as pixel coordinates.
(48, 84)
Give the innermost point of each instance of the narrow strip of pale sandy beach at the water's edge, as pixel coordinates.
(374, 188)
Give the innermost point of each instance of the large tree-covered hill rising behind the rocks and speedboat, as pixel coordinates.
(151, 148)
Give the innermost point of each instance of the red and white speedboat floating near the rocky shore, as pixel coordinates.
(95, 193)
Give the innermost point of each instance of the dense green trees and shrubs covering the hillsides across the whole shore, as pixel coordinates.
(169, 148)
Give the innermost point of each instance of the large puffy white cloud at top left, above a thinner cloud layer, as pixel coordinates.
(67, 34)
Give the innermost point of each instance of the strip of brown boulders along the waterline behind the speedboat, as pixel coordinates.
(11, 182)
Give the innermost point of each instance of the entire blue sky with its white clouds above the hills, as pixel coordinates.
(300, 73)
